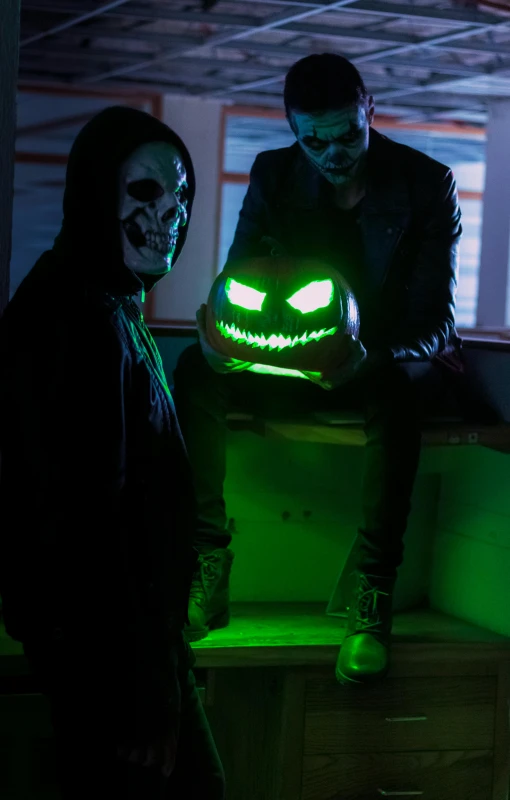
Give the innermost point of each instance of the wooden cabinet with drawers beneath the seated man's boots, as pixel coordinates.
(436, 728)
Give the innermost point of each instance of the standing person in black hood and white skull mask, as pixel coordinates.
(96, 550)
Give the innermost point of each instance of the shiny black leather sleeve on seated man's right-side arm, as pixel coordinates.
(431, 288)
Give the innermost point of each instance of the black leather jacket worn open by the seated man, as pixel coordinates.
(410, 225)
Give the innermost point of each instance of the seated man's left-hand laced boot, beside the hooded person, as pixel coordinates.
(209, 598)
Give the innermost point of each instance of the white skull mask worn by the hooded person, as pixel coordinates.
(151, 207)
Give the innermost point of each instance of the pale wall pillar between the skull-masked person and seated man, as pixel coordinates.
(198, 123)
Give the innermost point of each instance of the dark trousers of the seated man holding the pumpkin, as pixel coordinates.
(393, 401)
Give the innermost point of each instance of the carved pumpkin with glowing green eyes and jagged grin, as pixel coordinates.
(282, 312)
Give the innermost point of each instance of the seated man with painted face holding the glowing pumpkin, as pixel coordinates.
(388, 218)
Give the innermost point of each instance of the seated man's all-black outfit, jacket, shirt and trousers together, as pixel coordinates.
(399, 250)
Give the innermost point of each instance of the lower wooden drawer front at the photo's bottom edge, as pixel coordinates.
(453, 775)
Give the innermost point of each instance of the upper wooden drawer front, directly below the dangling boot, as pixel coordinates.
(400, 715)
